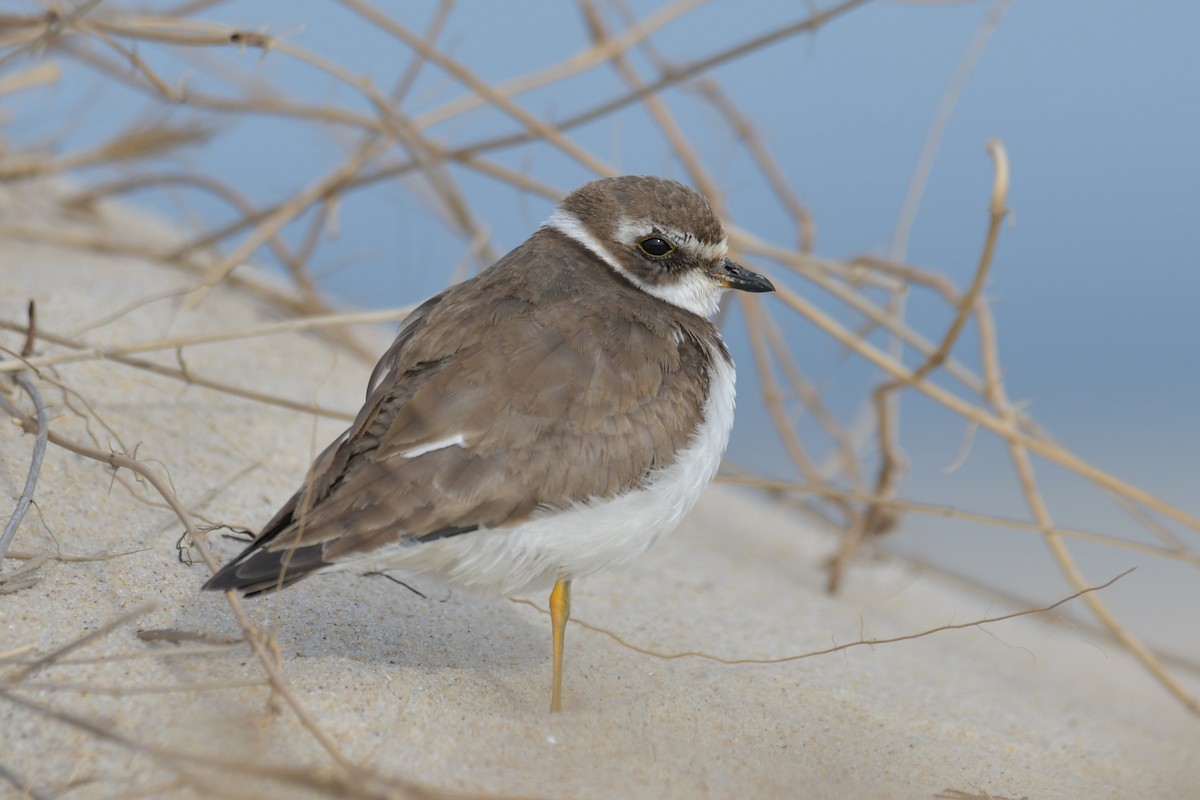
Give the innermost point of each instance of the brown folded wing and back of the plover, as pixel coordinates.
(554, 405)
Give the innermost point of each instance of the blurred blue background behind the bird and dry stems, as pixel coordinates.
(875, 117)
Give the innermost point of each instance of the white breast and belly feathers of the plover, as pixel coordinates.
(587, 538)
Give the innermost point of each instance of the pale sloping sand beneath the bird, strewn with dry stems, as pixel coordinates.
(449, 691)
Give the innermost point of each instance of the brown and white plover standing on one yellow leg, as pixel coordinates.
(555, 416)
